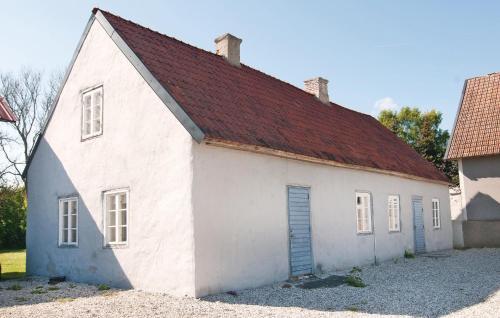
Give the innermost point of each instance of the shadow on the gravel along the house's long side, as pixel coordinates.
(428, 286)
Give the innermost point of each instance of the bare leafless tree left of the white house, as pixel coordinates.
(30, 98)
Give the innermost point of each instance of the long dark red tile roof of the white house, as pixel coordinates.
(246, 106)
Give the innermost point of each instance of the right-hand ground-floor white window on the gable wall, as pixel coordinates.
(116, 217)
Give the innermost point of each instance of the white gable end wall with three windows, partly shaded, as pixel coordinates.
(143, 148)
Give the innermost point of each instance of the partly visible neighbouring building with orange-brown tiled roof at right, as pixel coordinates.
(475, 144)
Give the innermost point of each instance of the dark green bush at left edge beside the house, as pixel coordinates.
(12, 217)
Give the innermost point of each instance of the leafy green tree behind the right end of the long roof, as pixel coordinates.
(421, 131)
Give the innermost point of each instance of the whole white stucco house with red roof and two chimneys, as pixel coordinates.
(168, 168)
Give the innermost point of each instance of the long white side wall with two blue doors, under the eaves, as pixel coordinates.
(240, 216)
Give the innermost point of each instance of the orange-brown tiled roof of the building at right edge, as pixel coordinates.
(477, 127)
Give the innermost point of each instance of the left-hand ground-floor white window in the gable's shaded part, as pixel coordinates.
(68, 222)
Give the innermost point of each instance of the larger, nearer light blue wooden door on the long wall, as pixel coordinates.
(299, 227)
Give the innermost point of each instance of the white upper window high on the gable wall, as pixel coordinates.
(92, 113)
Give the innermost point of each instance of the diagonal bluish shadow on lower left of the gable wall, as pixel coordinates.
(90, 262)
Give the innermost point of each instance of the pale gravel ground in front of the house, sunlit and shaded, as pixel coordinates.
(451, 284)
